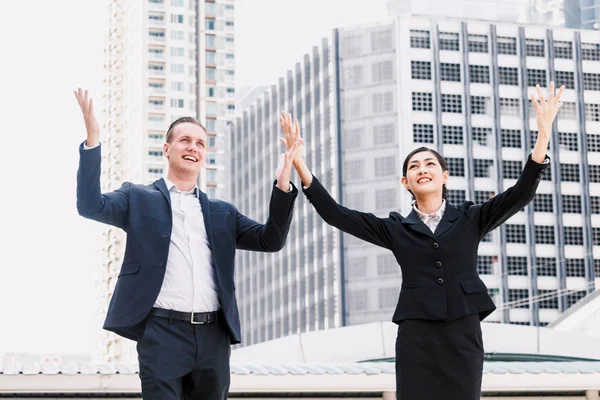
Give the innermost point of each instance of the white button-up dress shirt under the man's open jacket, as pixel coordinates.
(189, 283)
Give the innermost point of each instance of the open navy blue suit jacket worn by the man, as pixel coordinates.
(144, 212)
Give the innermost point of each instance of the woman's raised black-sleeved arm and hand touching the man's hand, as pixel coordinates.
(364, 226)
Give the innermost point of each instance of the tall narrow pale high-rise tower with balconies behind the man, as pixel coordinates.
(164, 59)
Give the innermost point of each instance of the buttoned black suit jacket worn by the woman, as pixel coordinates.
(439, 270)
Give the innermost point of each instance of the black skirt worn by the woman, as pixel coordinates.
(439, 360)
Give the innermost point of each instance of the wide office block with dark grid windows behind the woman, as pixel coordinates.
(461, 87)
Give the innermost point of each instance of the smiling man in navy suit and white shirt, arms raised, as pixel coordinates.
(175, 294)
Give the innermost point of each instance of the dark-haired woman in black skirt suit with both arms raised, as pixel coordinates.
(439, 348)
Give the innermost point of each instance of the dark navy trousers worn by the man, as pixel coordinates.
(179, 360)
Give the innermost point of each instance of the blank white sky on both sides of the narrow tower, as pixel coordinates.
(47, 296)
